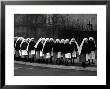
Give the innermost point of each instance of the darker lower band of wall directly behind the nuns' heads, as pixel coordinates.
(50, 31)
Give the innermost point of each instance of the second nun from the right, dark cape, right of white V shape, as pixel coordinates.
(84, 51)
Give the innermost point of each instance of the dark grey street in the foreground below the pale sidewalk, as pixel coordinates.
(28, 70)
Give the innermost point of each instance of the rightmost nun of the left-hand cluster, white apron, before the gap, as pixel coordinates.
(31, 50)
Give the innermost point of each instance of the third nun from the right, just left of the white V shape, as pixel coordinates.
(74, 50)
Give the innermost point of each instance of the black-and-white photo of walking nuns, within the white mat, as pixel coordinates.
(55, 44)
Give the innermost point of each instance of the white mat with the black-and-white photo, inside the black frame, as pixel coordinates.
(48, 44)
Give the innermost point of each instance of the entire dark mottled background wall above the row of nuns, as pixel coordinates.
(56, 26)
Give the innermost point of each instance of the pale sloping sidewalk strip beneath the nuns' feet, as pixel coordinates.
(75, 67)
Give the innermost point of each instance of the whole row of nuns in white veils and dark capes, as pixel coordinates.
(55, 51)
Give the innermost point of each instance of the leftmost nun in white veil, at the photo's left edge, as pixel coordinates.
(17, 48)
